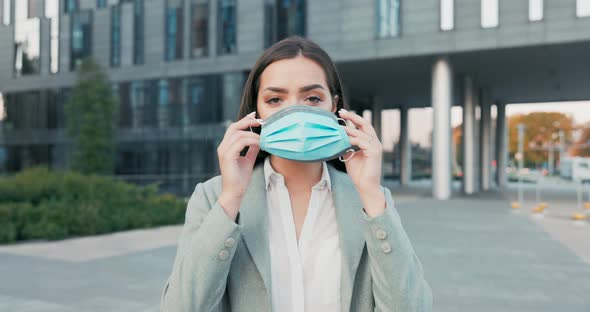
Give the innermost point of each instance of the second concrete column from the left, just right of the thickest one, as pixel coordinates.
(468, 136)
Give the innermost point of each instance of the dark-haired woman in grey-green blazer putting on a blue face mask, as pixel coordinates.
(276, 234)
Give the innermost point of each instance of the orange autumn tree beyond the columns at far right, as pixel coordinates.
(541, 130)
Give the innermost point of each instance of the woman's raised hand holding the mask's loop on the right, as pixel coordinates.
(364, 168)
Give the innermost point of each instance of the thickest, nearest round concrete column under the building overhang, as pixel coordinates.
(442, 95)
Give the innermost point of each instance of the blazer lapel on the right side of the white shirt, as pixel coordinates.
(349, 215)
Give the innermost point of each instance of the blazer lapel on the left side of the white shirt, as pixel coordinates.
(254, 221)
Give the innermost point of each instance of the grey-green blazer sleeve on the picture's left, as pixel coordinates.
(206, 248)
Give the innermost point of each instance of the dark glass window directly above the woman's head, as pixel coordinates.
(283, 19)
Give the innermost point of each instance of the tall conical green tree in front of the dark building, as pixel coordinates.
(90, 115)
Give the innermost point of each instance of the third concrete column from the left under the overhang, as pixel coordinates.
(485, 132)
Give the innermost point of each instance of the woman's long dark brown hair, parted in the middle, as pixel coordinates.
(289, 48)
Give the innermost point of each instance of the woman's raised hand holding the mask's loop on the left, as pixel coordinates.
(236, 170)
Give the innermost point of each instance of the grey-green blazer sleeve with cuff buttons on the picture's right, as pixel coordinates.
(396, 271)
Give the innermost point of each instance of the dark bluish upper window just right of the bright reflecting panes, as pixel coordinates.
(81, 37)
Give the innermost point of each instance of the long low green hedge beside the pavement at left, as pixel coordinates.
(38, 203)
